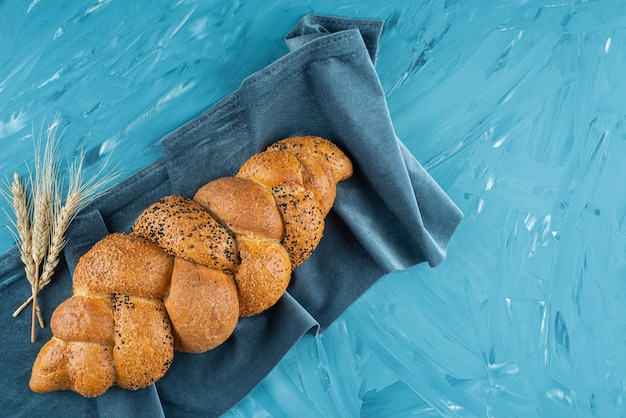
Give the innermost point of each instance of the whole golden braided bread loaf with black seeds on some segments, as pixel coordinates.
(189, 269)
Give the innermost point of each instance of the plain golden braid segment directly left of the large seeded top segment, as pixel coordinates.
(123, 263)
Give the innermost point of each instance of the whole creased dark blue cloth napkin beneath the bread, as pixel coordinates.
(390, 215)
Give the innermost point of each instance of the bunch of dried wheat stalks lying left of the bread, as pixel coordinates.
(42, 219)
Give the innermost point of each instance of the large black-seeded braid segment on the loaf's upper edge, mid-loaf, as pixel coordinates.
(183, 228)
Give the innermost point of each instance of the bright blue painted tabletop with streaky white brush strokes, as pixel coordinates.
(517, 109)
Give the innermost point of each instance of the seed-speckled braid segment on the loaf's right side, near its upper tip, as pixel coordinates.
(304, 222)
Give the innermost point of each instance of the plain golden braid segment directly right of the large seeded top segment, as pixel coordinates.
(243, 205)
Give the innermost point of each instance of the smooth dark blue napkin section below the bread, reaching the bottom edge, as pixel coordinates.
(210, 383)
